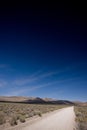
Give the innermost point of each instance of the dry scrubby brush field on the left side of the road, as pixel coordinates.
(14, 112)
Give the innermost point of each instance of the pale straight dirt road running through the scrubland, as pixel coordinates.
(63, 119)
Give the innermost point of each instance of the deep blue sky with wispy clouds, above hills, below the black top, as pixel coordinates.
(43, 56)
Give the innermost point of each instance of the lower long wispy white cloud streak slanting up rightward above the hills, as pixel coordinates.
(24, 90)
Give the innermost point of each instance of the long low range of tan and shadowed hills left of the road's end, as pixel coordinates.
(37, 100)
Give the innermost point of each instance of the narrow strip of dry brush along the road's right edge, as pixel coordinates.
(81, 117)
